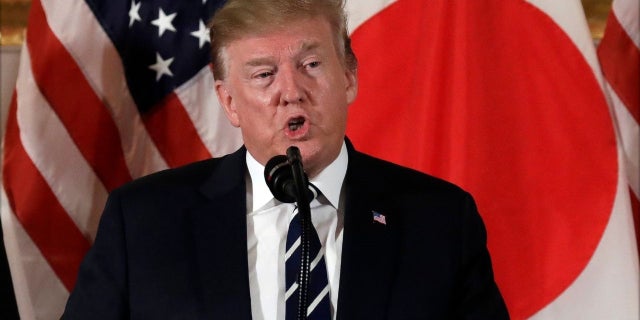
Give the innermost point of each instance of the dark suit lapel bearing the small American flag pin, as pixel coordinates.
(368, 258)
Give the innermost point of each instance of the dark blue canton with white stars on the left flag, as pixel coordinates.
(162, 43)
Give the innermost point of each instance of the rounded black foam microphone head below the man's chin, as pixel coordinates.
(279, 178)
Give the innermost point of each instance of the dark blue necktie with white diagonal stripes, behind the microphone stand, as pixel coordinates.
(319, 306)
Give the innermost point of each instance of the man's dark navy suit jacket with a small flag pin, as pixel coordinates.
(173, 245)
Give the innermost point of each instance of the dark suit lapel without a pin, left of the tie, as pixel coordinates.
(221, 241)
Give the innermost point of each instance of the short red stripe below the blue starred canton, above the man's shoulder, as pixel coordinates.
(174, 134)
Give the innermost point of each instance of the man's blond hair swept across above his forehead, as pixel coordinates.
(238, 18)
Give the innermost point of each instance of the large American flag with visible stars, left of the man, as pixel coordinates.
(107, 91)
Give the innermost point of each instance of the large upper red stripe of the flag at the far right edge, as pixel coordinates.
(620, 60)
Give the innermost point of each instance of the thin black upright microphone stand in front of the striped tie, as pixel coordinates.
(304, 210)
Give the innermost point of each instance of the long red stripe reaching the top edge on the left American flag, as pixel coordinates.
(81, 111)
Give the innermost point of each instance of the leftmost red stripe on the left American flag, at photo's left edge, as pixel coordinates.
(38, 209)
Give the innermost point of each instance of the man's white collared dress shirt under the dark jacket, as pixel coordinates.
(267, 224)
